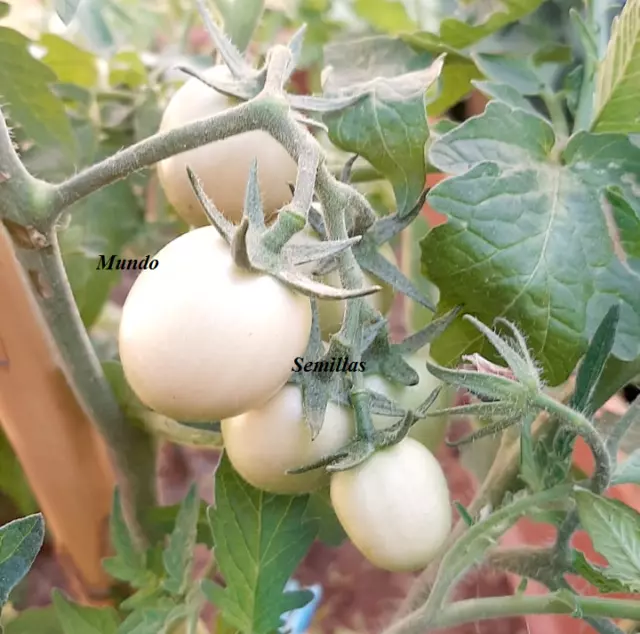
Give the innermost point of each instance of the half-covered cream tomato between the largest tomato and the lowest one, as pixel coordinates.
(264, 443)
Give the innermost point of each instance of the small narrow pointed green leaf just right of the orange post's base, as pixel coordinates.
(129, 563)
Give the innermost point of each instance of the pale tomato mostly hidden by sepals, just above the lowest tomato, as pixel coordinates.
(429, 431)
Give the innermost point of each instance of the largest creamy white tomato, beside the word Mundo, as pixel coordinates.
(201, 339)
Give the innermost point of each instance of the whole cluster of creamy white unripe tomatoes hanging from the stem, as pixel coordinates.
(203, 340)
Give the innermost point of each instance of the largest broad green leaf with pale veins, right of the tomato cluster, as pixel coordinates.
(514, 245)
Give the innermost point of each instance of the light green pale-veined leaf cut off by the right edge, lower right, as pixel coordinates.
(614, 529)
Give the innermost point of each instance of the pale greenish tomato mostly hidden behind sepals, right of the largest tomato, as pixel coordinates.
(331, 311)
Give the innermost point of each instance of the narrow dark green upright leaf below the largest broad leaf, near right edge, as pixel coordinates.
(594, 361)
